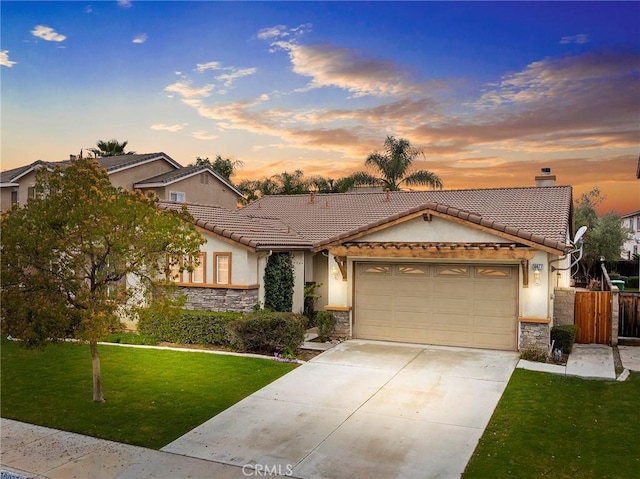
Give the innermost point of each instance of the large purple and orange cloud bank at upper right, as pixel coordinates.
(558, 104)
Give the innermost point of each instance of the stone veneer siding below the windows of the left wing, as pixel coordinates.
(220, 299)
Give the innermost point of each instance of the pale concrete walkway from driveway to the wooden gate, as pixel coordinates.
(590, 361)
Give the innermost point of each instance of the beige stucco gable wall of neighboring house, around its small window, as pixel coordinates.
(214, 193)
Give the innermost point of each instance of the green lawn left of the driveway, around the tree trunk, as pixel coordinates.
(152, 396)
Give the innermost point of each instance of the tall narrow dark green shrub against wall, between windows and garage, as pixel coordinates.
(278, 282)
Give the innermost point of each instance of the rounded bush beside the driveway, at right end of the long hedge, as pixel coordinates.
(268, 332)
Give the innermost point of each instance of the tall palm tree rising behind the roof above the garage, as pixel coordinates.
(393, 167)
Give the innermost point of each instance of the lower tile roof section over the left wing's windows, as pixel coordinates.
(256, 233)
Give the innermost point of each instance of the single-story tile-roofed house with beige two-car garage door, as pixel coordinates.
(462, 268)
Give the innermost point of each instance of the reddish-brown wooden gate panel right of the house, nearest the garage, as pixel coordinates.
(593, 317)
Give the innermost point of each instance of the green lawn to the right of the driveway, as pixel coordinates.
(555, 426)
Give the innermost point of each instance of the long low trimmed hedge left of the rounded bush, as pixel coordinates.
(190, 327)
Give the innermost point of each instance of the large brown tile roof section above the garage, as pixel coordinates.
(538, 215)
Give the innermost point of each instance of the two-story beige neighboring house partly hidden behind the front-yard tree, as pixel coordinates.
(155, 173)
